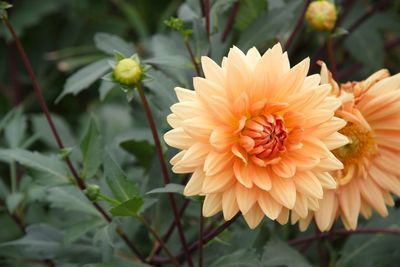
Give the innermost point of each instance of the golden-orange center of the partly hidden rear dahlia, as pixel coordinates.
(361, 146)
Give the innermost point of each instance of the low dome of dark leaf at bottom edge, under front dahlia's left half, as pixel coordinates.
(242, 257)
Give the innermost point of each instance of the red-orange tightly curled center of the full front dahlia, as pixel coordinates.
(263, 137)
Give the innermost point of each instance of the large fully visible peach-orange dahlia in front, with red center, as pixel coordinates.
(257, 135)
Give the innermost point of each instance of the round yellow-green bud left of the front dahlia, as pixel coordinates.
(128, 72)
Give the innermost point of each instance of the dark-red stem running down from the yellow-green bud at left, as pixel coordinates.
(164, 171)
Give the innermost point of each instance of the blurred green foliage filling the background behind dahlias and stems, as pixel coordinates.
(46, 221)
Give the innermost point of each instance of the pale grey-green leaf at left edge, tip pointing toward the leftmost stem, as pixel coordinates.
(49, 165)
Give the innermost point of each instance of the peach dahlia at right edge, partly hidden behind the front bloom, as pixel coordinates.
(372, 111)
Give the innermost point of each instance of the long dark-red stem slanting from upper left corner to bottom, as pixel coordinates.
(45, 109)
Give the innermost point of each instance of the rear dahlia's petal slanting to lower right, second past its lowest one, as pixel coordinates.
(371, 193)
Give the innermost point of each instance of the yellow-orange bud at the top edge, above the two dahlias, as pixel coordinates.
(321, 15)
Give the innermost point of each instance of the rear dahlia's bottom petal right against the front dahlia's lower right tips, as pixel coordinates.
(325, 215)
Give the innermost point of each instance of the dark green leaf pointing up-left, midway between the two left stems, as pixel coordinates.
(122, 188)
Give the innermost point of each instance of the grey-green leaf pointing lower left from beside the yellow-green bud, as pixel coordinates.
(84, 77)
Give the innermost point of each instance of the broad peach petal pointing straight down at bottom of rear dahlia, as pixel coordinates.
(350, 204)
